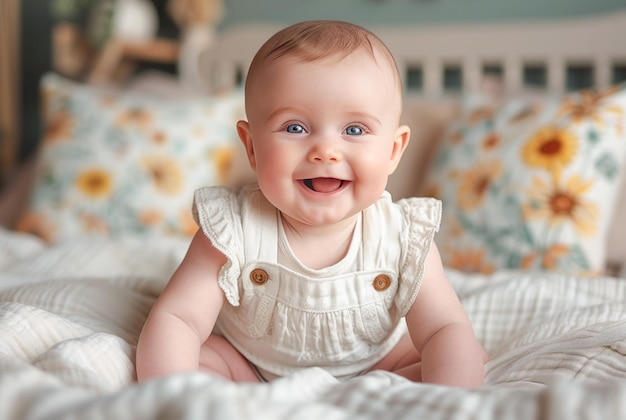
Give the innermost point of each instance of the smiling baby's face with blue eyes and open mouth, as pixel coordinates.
(323, 136)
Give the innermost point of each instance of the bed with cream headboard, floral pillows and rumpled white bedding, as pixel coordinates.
(533, 243)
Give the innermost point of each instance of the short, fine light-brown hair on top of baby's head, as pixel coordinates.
(319, 40)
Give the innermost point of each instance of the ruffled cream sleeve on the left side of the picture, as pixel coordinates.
(217, 212)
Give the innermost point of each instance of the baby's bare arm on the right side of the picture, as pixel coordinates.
(442, 332)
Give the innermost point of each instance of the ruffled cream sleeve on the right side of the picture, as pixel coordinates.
(422, 218)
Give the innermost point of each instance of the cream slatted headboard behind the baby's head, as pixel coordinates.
(553, 55)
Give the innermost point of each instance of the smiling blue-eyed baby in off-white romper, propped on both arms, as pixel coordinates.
(315, 265)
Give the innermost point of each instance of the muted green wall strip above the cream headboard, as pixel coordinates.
(423, 12)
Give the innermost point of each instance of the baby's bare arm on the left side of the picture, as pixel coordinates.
(184, 315)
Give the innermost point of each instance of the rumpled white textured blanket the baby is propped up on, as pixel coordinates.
(70, 316)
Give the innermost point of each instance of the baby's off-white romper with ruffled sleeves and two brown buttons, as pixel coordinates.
(283, 316)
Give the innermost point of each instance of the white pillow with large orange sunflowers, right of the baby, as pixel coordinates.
(531, 184)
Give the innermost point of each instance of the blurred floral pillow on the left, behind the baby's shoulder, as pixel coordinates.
(117, 163)
